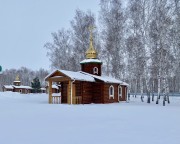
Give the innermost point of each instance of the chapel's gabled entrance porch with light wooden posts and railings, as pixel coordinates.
(68, 93)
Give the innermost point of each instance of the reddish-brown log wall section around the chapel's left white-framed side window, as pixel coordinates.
(106, 98)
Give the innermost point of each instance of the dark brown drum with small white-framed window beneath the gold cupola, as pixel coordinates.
(88, 68)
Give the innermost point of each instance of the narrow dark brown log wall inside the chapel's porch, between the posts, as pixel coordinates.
(64, 92)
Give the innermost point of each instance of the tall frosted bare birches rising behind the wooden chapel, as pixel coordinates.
(138, 42)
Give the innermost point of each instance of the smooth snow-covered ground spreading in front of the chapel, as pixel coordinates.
(29, 119)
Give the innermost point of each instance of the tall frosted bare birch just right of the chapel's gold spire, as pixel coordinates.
(112, 32)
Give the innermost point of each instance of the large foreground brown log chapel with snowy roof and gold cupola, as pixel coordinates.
(88, 85)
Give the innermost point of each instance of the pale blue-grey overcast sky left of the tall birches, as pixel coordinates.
(26, 25)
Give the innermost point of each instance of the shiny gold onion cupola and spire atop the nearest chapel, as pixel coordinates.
(91, 52)
